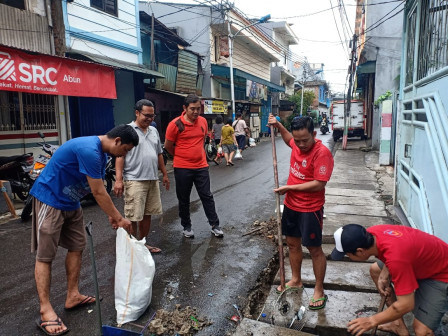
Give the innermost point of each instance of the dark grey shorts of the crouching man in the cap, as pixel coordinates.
(431, 301)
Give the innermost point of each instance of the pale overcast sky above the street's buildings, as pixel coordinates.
(314, 25)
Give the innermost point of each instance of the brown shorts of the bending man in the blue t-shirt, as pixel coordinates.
(52, 228)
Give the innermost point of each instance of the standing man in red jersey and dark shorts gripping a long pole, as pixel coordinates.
(310, 169)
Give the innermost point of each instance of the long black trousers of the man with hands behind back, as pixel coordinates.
(185, 178)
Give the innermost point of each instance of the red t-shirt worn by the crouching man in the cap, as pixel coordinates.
(410, 255)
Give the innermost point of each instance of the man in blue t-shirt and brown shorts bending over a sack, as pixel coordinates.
(76, 169)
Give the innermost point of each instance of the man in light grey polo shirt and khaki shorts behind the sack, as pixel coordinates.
(137, 173)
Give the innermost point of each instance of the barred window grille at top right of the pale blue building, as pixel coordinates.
(433, 46)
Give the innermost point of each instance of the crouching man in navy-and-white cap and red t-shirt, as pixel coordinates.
(414, 261)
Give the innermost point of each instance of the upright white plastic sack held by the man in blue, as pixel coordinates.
(134, 273)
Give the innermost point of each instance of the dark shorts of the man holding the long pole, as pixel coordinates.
(305, 225)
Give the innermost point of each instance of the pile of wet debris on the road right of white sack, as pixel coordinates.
(178, 322)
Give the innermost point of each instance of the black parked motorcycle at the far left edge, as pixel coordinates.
(15, 170)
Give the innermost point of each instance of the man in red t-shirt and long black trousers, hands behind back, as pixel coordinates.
(184, 139)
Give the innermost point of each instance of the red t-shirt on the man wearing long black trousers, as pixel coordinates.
(189, 144)
